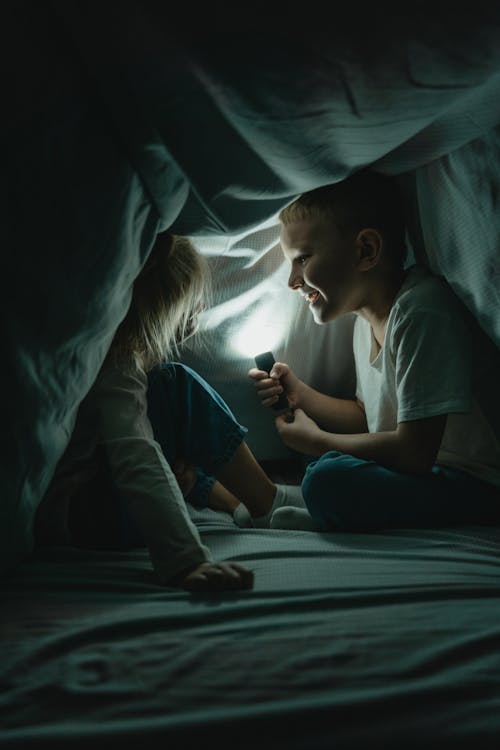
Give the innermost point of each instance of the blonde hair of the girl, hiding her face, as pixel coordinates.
(167, 296)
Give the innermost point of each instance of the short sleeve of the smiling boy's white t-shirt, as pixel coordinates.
(431, 350)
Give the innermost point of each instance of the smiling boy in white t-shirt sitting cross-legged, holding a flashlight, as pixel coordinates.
(412, 449)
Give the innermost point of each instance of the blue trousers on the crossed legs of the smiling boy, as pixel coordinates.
(348, 494)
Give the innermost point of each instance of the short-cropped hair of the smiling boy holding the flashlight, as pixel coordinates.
(365, 199)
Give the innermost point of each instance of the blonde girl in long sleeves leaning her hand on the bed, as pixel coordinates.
(152, 433)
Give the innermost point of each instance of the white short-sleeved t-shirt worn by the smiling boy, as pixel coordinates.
(423, 369)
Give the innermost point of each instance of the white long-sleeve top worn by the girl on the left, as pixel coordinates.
(114, 417)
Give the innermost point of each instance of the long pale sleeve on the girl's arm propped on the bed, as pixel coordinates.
(141, 474)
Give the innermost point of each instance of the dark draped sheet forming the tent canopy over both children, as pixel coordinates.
(116, 126)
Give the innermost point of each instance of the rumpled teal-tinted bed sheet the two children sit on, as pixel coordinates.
(347, 641)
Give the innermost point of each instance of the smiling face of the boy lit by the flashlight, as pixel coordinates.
(323, 266)
